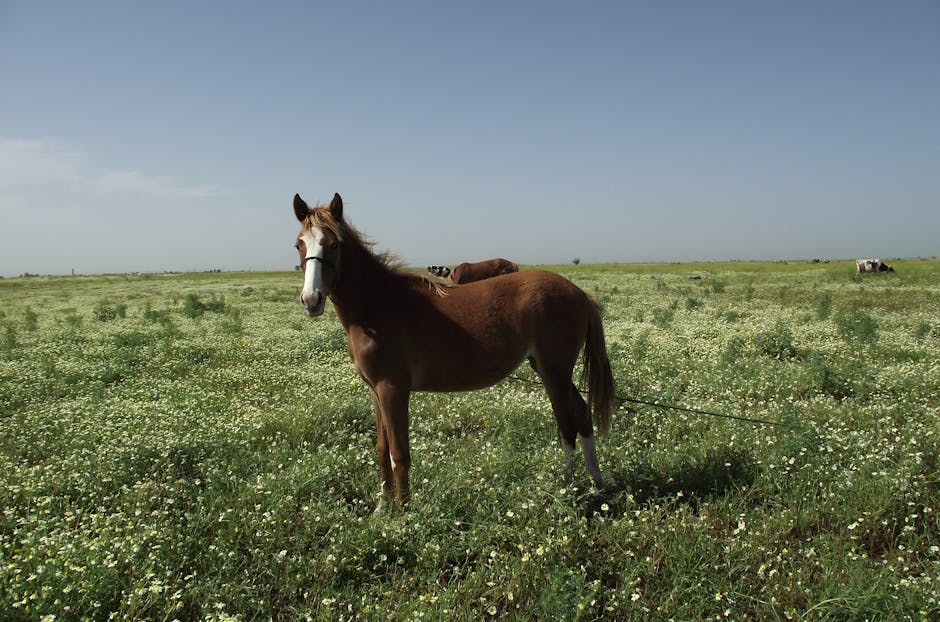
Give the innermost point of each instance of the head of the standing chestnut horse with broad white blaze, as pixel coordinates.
(318, 243)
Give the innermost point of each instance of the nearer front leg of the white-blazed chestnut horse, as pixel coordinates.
(392, 401)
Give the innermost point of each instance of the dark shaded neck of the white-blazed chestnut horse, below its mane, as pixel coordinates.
(364, 283)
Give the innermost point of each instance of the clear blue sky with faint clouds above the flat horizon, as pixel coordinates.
(173, 135)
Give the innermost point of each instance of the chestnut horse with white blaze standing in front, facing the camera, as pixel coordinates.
(407, 332)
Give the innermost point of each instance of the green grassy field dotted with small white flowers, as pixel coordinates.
(194, 447)
